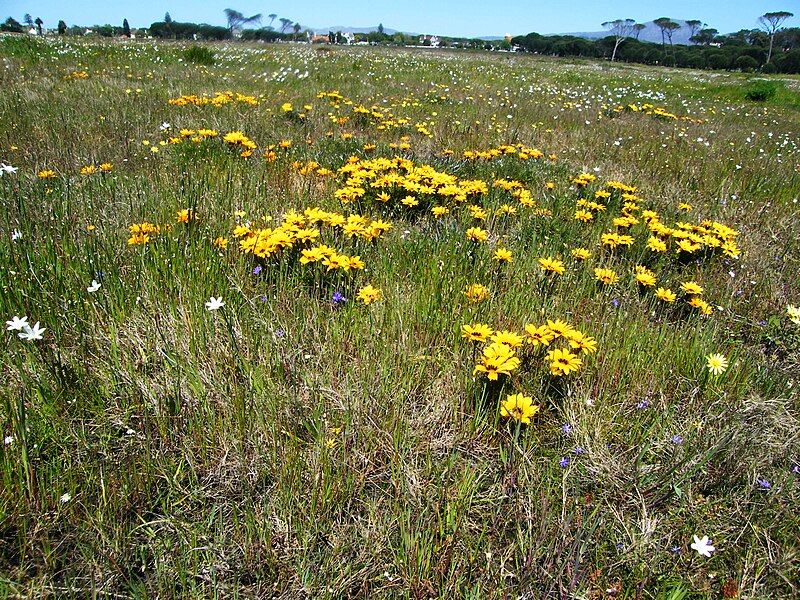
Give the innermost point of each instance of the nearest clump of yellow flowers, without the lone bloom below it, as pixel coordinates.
(500, 356)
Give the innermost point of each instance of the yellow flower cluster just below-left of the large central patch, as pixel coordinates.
(304, 232)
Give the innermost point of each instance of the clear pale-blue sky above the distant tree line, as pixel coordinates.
(445, 17)
